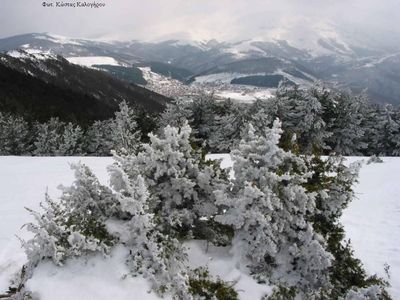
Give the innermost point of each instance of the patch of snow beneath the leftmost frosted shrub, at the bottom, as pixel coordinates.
(94, 279)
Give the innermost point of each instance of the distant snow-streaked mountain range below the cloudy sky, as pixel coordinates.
(324, 56)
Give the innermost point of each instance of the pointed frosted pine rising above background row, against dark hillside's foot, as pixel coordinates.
(124, 131)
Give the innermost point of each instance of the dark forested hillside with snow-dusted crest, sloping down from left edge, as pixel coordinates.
(44, 85)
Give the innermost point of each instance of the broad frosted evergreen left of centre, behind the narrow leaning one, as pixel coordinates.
(181, 183)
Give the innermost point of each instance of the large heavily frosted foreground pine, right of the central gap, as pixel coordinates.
(268, 207)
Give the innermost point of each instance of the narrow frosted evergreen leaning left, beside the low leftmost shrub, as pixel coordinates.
(159, 258)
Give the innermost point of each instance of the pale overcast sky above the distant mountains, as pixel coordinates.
(204, 19)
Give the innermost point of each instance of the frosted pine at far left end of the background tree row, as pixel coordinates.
(14, 135)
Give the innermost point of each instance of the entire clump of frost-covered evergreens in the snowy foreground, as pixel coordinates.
(279, 214)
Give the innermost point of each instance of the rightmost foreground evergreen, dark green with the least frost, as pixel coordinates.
(332, 182)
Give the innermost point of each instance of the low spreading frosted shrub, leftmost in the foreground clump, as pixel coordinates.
(74, 225)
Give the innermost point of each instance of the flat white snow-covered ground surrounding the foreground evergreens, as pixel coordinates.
(372, 222)
